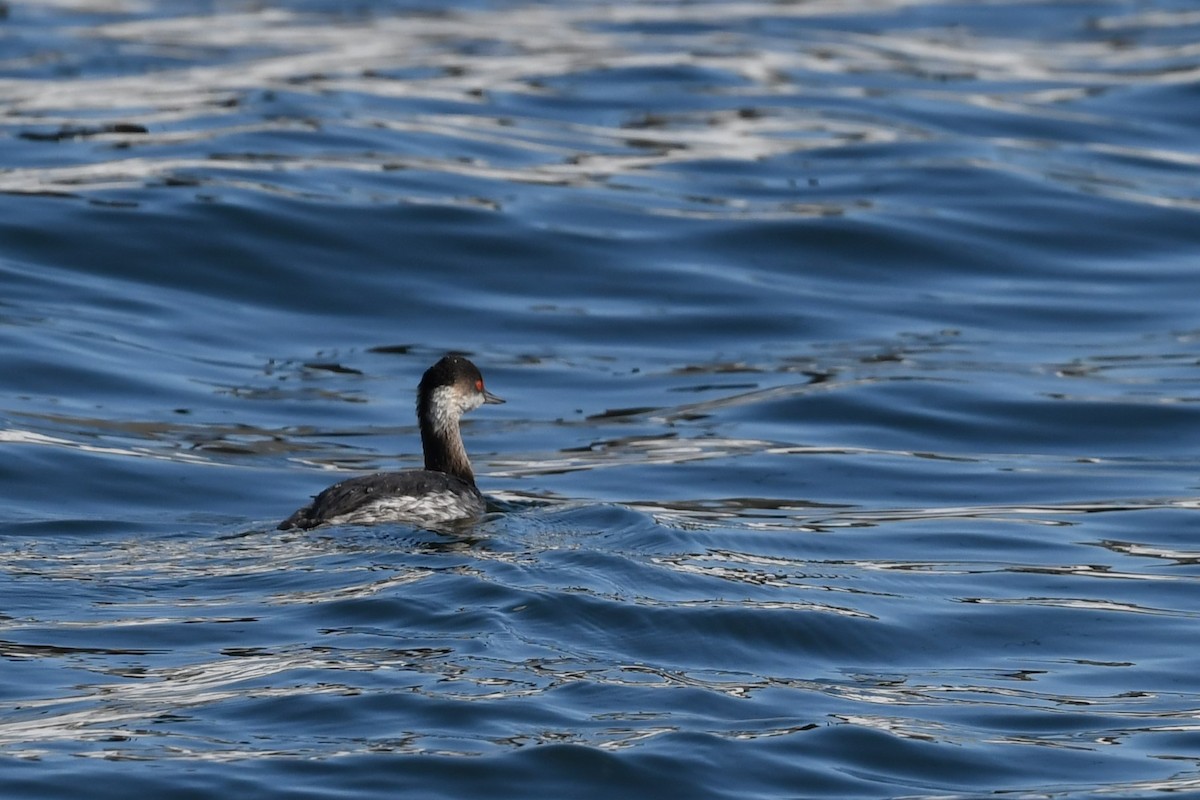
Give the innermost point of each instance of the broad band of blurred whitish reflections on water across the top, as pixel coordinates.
(547, 97)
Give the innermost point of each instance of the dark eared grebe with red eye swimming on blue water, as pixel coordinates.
(443, 491)
